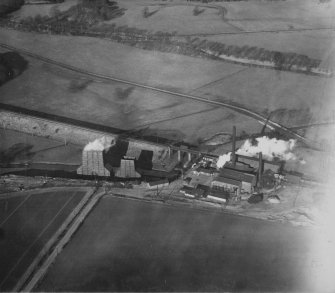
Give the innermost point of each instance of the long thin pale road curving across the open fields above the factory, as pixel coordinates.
(239, 109)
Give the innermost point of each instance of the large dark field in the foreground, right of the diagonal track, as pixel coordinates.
(151, 247)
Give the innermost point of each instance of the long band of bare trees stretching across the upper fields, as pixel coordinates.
(166, 42)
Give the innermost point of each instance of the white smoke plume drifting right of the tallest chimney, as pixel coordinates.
(270, 147)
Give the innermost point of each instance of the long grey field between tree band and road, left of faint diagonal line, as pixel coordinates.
(181, 73)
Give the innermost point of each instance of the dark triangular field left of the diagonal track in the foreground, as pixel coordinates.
(27, 222)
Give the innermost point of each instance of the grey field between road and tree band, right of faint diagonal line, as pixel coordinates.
(291, 99)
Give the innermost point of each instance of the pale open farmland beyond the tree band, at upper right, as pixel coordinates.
(288, 26)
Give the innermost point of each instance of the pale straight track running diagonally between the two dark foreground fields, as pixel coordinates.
(36, 266)
